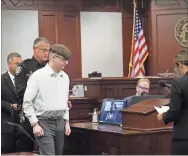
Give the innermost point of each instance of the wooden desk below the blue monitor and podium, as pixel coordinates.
(87, 138)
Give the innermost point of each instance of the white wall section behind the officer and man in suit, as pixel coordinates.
(19, 29)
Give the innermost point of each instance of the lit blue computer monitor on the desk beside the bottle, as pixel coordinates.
(111, 111)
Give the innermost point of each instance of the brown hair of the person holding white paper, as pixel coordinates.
(182, 57)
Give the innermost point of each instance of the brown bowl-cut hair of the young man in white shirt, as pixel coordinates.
(61, 50)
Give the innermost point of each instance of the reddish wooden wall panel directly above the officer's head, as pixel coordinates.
(48, 25)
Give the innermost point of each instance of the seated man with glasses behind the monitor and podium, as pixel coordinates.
(142, 88)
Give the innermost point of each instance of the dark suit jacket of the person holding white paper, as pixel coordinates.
(178, 112)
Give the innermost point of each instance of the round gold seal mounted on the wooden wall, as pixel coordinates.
(181, 32)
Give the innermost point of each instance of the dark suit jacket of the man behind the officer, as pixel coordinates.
(8, 97)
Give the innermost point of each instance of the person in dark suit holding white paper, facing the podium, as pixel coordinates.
(178, 111)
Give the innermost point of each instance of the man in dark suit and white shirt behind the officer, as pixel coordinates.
(8, 103)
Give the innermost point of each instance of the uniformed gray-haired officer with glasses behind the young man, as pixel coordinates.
(24, 70)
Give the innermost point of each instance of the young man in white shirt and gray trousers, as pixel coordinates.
(45, 101)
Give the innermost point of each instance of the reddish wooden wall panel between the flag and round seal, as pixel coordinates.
(164, 44)
